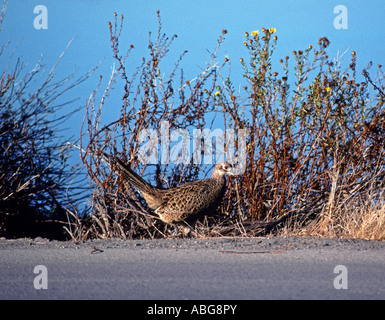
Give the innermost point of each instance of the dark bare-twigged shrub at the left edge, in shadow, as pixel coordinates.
(36, 180)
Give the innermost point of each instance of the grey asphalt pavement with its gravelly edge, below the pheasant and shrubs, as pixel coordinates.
(217, 268)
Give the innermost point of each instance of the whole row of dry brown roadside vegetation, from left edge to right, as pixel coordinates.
(313, 154)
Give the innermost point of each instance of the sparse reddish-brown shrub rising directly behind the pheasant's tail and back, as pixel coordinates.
(154, 103)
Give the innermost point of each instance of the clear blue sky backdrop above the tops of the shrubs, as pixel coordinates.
(197, 23)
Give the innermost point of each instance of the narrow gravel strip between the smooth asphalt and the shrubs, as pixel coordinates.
(260, 243)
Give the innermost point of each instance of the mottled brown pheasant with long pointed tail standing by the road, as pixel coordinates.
(186, 203)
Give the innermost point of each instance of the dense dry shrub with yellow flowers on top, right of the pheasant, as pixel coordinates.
(310, 140)
